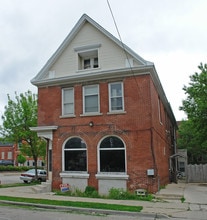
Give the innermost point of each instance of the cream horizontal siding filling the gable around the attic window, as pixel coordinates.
(111, 56)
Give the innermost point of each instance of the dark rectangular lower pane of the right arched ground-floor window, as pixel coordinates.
(112, 161)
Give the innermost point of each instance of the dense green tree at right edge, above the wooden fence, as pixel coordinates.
(192, 133)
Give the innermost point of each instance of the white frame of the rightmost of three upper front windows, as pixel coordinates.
(116, 96)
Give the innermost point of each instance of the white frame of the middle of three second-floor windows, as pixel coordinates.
(92, 94)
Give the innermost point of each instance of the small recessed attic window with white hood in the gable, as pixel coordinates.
(88, 57)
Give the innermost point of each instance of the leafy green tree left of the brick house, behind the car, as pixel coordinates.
(21, 114)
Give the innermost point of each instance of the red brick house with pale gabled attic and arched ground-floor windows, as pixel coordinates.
(104, 113)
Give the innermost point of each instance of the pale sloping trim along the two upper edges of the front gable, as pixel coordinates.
(85, 18)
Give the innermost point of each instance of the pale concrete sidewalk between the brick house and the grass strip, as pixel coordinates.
(162, 208)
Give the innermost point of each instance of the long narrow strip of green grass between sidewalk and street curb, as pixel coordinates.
(92, 205)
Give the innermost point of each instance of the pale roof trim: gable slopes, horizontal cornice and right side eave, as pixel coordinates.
(148, 66)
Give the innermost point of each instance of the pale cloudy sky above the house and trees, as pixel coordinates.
(171, 34)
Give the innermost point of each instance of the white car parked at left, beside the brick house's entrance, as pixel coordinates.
(29, 175)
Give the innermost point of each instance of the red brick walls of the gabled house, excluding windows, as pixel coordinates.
(148, 146)
